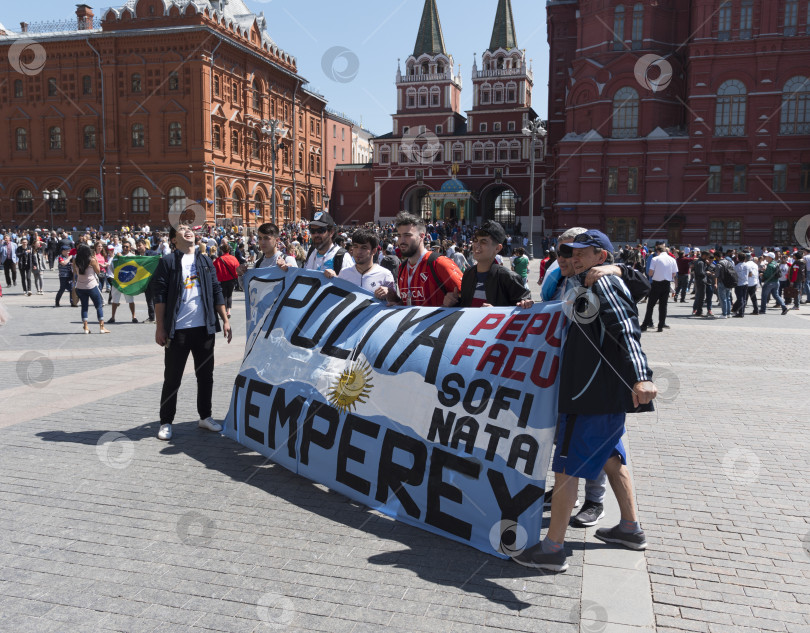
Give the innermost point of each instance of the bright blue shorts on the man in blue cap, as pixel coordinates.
(586, 442)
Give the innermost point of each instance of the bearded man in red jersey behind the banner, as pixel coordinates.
(424, 278)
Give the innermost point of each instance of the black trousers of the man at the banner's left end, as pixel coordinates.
(200, 344)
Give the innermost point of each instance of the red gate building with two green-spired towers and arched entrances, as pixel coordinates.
(439, 163)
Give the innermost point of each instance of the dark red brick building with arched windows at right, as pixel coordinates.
(684, 121)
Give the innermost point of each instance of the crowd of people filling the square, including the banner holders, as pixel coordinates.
(410, 263)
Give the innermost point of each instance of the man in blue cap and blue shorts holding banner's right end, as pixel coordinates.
(604, 375)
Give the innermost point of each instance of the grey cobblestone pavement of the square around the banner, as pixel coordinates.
(108, 529)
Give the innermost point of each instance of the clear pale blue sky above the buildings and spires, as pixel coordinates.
(371, 35)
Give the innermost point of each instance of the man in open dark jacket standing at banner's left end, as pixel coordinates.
(188, 298)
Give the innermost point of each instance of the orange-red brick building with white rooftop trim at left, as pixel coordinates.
(127, 113)
